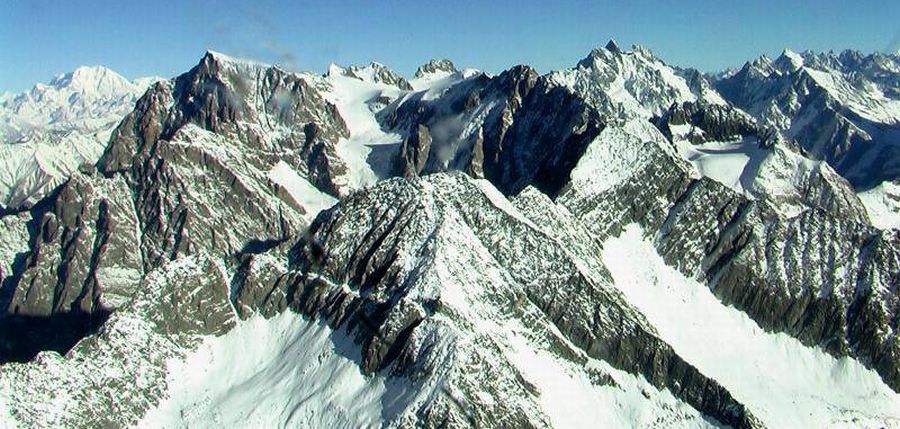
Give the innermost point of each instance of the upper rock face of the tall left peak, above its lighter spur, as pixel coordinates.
(267, 108)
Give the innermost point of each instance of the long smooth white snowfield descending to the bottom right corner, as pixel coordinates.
(783, 382)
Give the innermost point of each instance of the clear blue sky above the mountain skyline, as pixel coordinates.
(39, 38)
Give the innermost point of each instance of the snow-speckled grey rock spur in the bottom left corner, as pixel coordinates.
(123, 366)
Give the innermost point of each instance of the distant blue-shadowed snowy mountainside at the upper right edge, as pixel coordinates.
(842, 108)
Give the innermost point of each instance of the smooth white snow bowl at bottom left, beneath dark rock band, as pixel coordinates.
(282, 372)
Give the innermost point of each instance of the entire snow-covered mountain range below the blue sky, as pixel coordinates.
(619, 244)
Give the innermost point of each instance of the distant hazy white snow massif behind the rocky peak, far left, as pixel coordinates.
(48, 132)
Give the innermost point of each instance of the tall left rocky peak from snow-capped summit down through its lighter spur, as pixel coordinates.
(235, 121)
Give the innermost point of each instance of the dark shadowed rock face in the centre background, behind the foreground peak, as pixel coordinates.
(516, 129)
